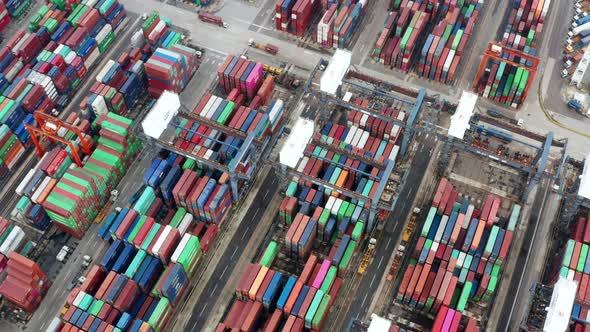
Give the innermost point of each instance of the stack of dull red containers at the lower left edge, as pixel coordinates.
(25, 284)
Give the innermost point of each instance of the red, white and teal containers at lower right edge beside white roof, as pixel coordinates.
(575, 265)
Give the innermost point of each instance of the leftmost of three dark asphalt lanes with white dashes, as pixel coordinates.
(231, 255)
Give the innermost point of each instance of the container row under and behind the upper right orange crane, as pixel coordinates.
(503, 82)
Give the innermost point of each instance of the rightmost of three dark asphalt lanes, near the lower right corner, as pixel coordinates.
(508, 321)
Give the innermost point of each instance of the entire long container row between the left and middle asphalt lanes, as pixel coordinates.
(297, 290)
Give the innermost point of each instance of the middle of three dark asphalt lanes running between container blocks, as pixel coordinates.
(390, 234)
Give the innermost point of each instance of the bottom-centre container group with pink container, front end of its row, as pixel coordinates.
(271, 300)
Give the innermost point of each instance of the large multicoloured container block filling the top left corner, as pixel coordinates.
(40, 68)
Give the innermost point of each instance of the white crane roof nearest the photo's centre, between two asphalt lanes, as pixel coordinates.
(293, 148)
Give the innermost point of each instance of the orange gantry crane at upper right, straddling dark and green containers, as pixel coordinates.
(495, 51)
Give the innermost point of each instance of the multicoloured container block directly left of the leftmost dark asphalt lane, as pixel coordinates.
(155, 251)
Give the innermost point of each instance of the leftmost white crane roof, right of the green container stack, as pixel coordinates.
(161, 114)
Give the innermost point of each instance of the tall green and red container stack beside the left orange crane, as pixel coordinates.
(81, 193)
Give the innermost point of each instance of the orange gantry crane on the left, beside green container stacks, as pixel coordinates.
(49, 126)
